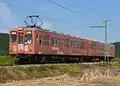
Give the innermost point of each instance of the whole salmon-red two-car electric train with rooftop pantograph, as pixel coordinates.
(33, 44)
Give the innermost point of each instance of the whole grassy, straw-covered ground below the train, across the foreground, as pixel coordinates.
(57, 75)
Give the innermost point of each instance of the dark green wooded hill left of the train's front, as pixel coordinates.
(4, 40)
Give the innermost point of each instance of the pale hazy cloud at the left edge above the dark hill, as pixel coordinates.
(6, 17)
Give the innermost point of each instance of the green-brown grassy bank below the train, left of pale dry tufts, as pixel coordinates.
(8, 74)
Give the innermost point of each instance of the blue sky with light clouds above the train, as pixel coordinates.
(61, 20)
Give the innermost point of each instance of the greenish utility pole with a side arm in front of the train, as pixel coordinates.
(105, 26)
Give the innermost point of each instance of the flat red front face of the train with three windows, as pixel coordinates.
(21, 41)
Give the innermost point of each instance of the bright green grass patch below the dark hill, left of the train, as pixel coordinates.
(4, 60)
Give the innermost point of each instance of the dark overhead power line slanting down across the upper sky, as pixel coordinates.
(73, 11)
